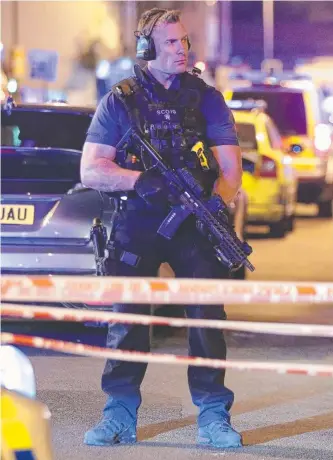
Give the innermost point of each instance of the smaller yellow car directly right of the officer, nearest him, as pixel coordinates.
(269, 178)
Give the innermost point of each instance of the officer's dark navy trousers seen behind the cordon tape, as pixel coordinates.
(190, 256)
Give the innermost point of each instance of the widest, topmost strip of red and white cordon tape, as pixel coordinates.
(108, 290)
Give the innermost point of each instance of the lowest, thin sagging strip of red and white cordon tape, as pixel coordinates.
(135, 356)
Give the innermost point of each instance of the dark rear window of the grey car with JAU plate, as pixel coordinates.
(30, 128)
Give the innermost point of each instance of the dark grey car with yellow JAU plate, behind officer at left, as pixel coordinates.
(46, 213)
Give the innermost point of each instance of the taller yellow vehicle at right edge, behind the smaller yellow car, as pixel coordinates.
(294, 103)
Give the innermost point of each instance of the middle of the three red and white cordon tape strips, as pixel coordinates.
(71, 314)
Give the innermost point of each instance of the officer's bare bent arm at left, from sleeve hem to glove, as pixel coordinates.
(100, 172)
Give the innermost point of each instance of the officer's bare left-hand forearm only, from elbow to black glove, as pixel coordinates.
(107, 176)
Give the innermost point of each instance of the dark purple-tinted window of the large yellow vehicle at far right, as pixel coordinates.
(285, 108)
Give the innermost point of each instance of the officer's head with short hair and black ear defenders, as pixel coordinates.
(162, 39)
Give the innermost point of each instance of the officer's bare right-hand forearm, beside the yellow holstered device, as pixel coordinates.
(230, 175)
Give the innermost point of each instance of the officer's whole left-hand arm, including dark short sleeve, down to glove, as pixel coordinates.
(98, 167)
